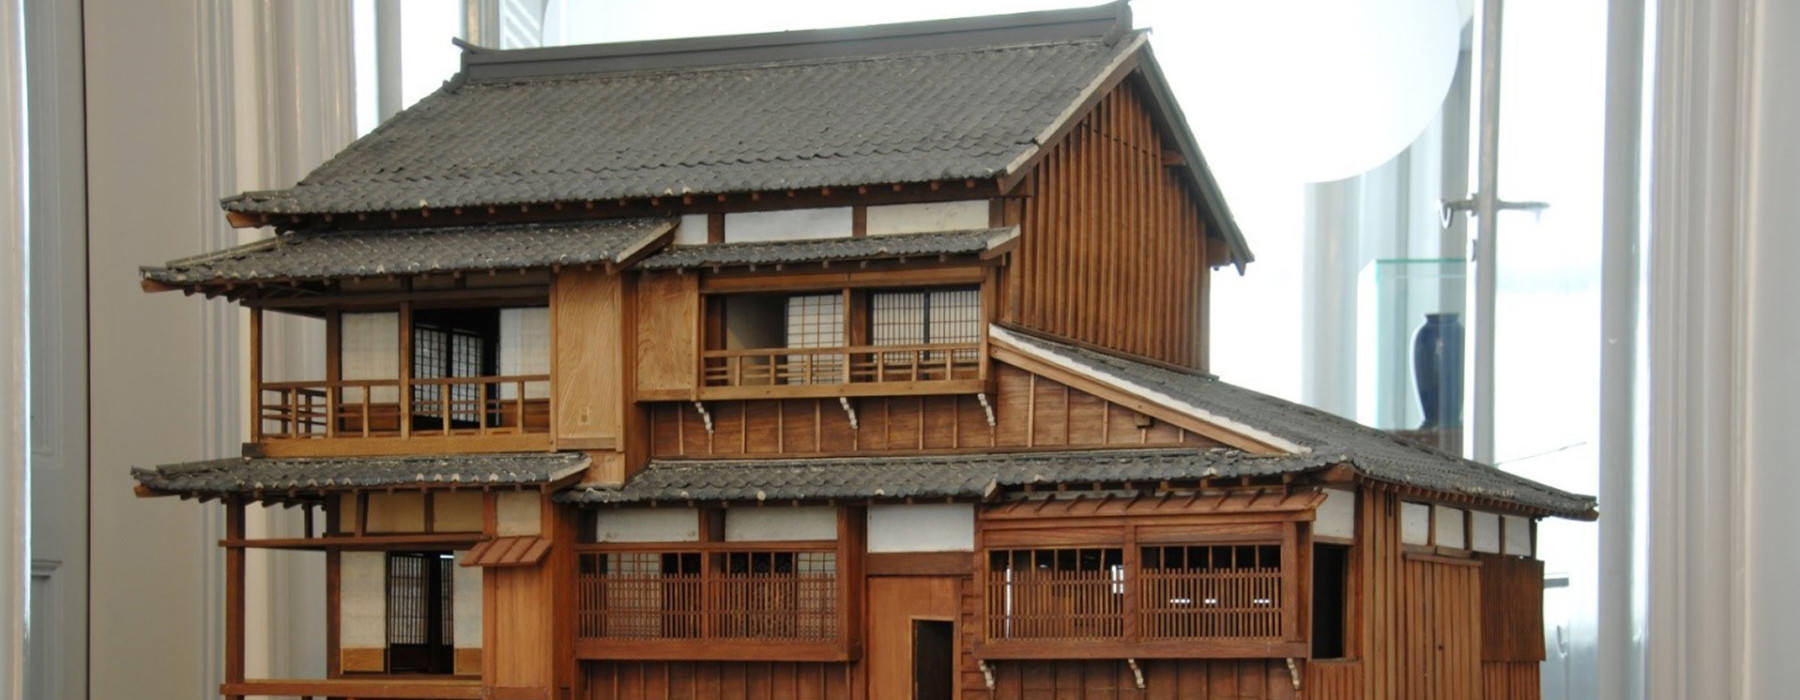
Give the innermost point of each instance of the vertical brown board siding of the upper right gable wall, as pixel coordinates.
(1113, 251)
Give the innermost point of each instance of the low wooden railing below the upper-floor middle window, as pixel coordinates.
(831, 370)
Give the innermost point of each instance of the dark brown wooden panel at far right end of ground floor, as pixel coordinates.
(1513, 609)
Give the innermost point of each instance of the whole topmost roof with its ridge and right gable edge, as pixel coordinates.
(951, 100)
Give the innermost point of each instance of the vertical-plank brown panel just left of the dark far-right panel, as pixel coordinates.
(1441, 629)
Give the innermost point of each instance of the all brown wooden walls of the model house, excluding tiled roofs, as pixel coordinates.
(1192, 586)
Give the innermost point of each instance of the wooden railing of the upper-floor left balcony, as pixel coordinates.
(463, 406)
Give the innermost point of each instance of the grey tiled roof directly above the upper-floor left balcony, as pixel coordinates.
(413, 251)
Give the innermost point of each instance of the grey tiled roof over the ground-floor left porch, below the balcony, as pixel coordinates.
(249, 476)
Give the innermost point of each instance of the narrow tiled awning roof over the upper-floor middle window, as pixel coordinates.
(832, 249)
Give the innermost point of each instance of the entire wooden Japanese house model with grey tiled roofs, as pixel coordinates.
(829, 364)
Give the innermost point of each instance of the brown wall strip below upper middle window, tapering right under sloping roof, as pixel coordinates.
(1030, 413)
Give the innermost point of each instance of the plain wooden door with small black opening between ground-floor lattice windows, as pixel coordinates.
(897, 606)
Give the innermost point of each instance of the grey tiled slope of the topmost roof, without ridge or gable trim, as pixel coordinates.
(789, 125)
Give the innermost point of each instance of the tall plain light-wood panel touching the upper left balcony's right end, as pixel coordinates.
(589, 355)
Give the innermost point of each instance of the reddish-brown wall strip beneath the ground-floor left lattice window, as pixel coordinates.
(705, 681)
